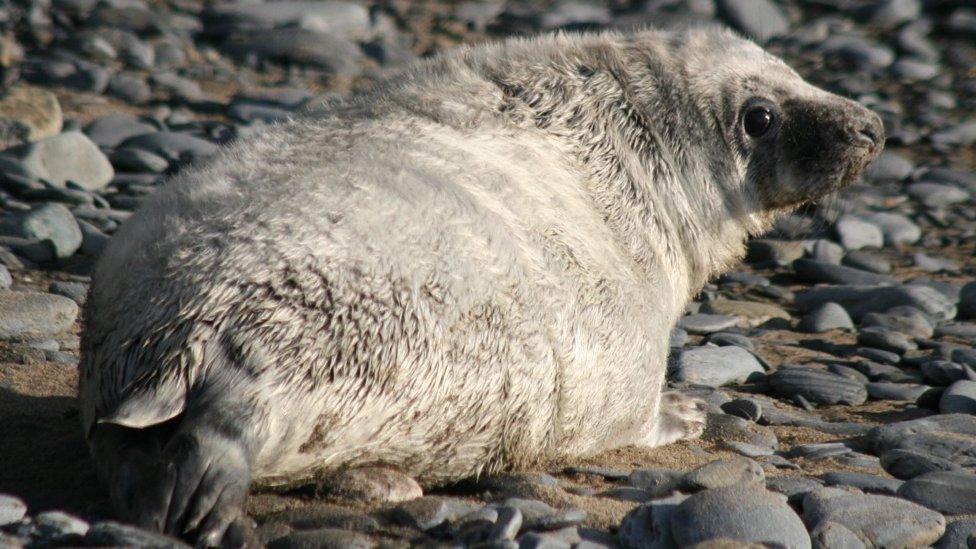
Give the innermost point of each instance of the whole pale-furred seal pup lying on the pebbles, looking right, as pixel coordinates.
(474, 267)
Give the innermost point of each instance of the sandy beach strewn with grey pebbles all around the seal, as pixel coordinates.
(837, 362)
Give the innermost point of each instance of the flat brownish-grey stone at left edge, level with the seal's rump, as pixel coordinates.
(34, 313)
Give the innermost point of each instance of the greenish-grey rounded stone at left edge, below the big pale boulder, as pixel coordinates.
(50, 223)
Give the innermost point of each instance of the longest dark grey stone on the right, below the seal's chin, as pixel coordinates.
(861, 300)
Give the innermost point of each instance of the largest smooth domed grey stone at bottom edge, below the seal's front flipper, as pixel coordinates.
(742, 512)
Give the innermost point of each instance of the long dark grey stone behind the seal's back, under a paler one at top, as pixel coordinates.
(330, 53)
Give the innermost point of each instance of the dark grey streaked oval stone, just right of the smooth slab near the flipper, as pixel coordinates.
(816, 386)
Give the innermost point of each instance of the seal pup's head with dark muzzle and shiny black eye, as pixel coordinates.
(793, 142)
